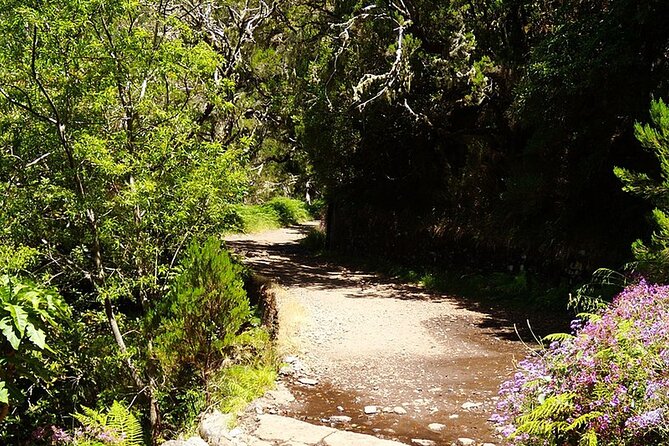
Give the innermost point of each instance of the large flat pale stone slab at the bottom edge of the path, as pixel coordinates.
(277, 428)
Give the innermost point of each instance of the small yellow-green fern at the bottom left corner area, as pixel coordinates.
(118, 427)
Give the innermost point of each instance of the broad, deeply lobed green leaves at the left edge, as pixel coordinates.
(30, 316)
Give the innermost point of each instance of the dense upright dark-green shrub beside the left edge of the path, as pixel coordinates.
(199, 321)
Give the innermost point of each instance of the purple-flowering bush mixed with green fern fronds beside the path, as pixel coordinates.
(607, 384)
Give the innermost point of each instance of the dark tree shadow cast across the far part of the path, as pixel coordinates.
(289, 264)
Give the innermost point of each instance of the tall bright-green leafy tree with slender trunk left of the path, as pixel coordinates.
(104, 168)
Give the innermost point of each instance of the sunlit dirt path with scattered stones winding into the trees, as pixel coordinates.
(420, 358)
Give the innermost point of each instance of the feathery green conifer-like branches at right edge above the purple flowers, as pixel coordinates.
(653, 259)
